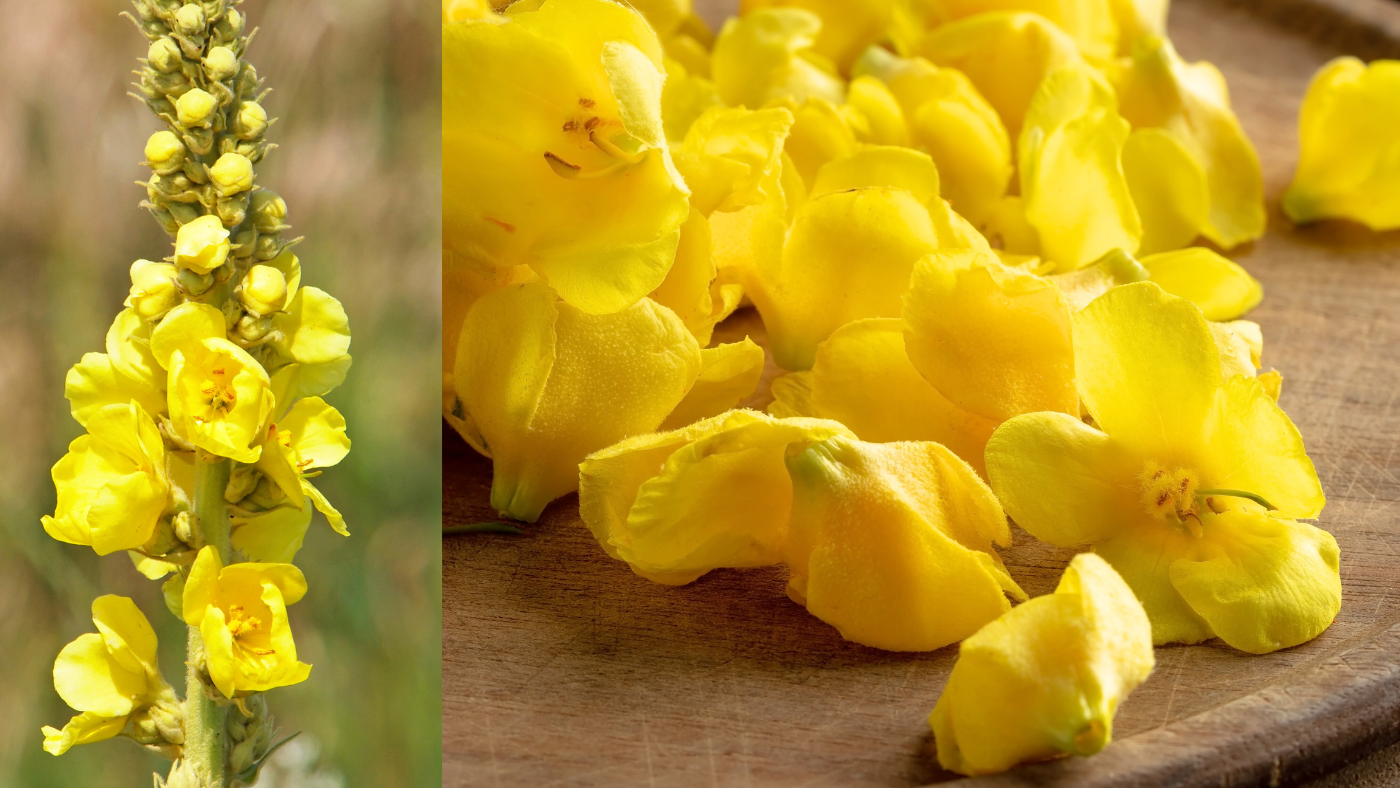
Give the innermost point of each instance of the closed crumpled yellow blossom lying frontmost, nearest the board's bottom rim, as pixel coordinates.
(1045, 680)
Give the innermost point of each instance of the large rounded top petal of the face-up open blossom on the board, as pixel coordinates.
(1147, 369)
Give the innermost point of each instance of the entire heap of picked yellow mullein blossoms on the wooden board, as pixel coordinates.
(986, 243)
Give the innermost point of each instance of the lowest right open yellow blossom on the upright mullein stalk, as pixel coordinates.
(241, 611)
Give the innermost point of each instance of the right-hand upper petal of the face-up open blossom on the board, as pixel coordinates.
(1254, 446)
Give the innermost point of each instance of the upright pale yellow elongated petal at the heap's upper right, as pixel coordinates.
(1072, 174)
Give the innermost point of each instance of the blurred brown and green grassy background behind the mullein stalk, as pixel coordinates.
(356, 90)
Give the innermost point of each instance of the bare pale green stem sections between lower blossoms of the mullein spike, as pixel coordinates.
(206, 752)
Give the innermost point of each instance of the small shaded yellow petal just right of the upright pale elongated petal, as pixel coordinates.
(1168, 190)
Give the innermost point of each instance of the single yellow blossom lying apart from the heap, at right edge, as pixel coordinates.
(1349, 166)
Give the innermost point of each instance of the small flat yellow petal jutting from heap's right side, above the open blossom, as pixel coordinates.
(1220, 288)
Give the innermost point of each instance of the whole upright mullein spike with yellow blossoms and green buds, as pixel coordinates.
(205, 426)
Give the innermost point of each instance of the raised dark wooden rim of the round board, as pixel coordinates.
(1328, 717)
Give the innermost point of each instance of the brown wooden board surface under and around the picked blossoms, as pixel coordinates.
(563, 668)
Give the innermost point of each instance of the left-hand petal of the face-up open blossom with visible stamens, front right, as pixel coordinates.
(1062, 481)
